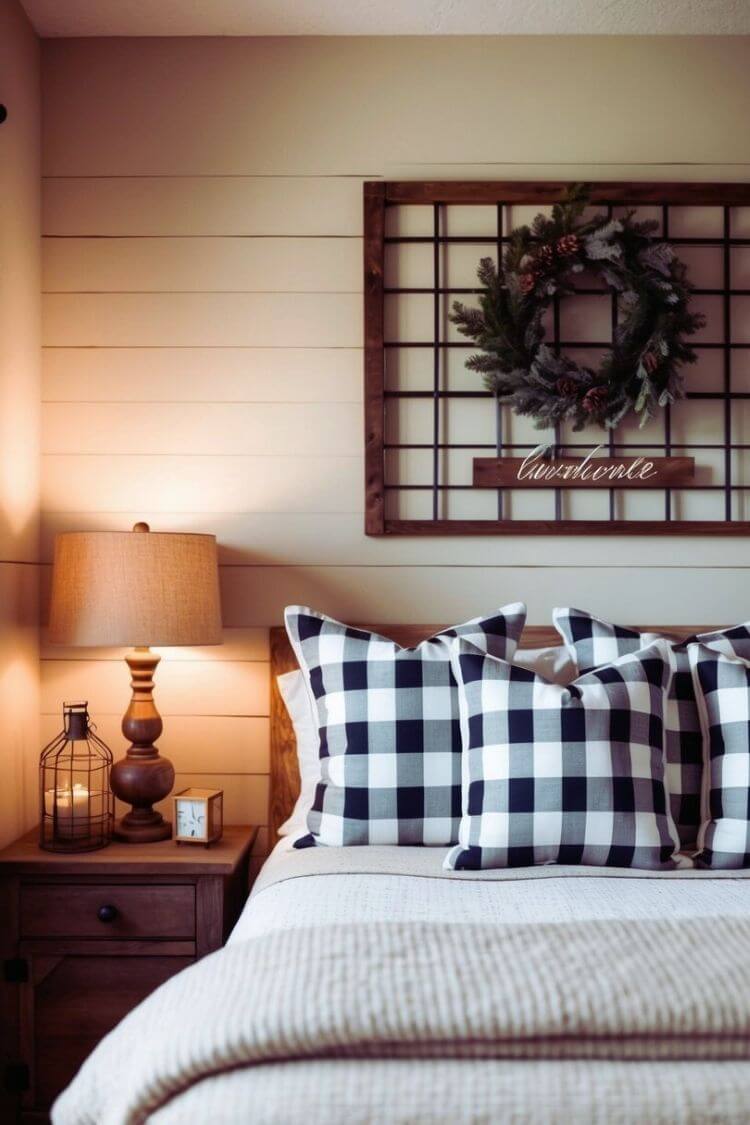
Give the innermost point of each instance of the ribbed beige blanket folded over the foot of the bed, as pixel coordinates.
(602, 993)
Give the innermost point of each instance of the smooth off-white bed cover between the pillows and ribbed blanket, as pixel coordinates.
(320, 887)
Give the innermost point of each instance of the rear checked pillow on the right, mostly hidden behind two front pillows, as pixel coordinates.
(592, 643)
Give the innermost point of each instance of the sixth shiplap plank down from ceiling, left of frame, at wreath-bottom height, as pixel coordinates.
(204, 429)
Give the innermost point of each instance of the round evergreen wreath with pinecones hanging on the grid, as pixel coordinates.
(641, 370)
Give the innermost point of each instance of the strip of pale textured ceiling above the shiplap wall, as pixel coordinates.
(388, 17)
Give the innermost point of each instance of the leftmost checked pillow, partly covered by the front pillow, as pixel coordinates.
(388, 718)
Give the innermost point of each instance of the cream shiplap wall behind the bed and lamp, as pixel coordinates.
(203, 328)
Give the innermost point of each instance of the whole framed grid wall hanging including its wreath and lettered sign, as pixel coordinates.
(496, 403)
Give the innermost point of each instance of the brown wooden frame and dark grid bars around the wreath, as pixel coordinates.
(667, 472)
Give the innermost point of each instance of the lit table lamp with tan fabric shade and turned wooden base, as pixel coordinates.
(137, 589)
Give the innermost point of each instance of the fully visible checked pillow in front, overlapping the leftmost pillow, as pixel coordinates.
(556, 775)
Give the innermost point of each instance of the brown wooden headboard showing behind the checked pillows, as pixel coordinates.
(285, 773)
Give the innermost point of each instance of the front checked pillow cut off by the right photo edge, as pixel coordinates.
(722, 690)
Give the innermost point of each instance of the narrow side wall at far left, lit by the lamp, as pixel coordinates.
(20, 420)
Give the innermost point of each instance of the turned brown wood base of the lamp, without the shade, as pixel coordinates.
(143, 777)
